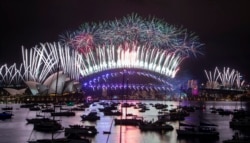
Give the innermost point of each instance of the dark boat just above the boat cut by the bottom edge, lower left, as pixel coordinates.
(89, 131)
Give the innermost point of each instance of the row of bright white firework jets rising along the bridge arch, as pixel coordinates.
(130, 56)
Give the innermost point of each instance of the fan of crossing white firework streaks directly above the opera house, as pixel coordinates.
(40, 62)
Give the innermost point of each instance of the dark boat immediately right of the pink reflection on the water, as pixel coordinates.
(155, 126)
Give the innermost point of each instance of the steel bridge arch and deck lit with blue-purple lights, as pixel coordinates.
(128, 78)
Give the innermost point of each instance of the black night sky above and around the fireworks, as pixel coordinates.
(222, 25)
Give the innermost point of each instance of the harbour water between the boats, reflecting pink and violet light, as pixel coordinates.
(16, 130)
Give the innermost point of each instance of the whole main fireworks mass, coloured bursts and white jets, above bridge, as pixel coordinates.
(128, 43)
